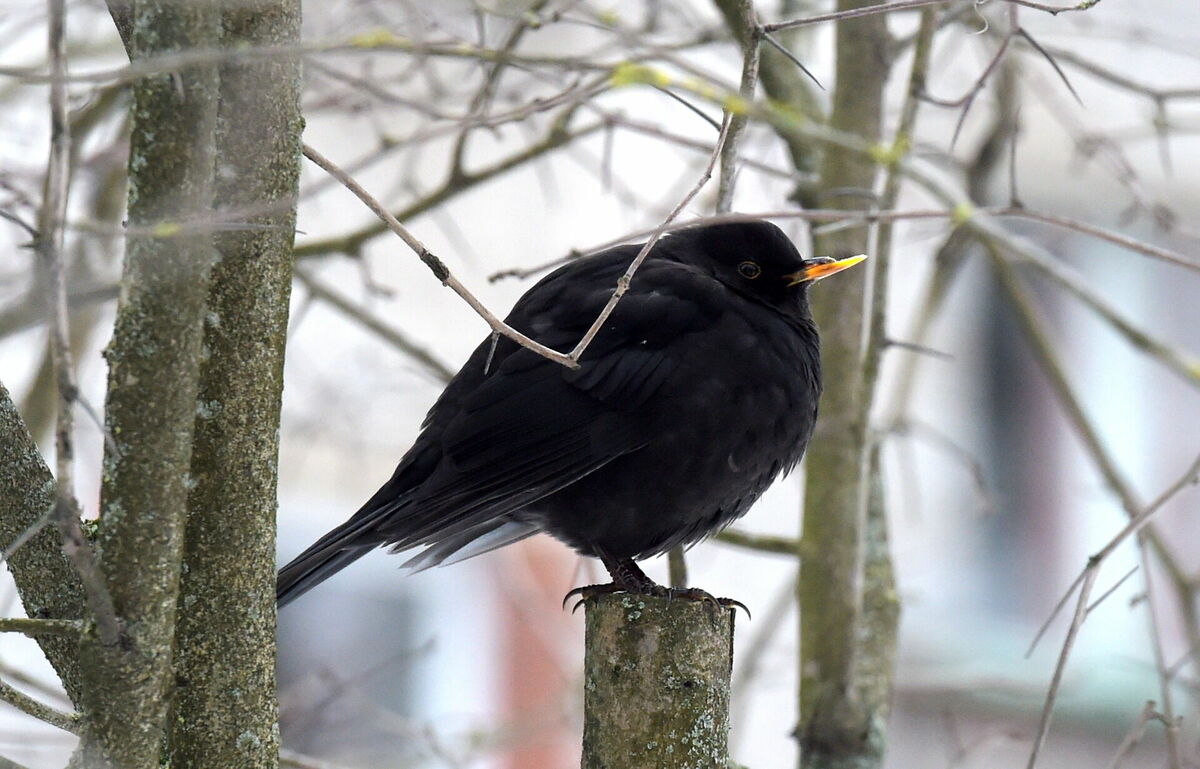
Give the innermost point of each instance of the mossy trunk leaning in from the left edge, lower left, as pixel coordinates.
(46, 581)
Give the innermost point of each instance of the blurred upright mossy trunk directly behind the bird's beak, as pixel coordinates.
(839, 726)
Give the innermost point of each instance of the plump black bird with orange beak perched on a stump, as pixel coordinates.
(699, 392)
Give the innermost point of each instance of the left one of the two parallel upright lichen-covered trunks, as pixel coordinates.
(153, 384)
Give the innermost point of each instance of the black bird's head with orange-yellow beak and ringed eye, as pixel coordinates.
(757, 260)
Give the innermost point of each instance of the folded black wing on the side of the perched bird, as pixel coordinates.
(530, 426)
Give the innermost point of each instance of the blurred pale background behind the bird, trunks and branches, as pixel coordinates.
(994, 502)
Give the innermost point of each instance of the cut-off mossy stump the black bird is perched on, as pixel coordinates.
(657, 683)
